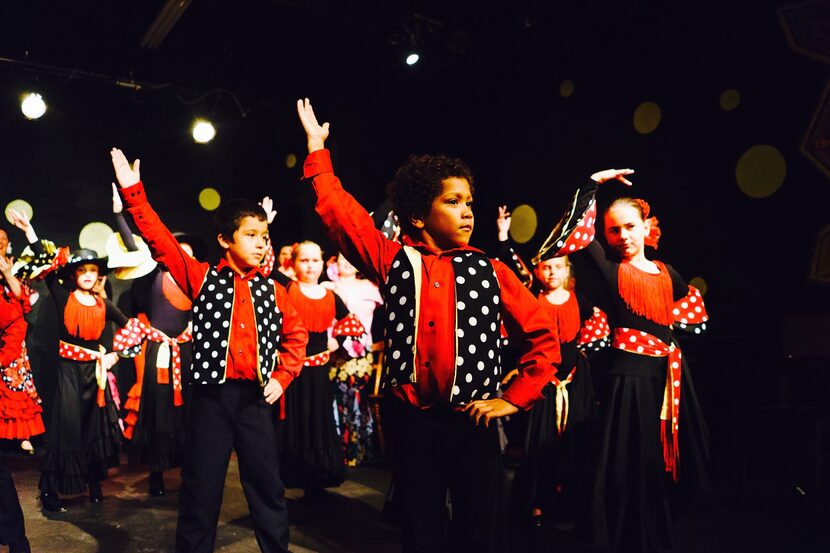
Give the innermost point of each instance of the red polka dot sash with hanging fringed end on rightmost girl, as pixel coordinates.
(642, 343)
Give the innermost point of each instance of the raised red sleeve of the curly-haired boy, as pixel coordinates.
(347, 223)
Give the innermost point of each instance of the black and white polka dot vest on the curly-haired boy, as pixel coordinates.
(477, 298)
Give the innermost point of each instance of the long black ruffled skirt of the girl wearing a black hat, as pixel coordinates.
(82, 439)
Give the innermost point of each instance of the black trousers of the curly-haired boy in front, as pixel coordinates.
(437, 450)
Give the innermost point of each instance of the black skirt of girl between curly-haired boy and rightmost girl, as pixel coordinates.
(556, 470)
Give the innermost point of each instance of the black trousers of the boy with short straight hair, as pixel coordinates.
(222, 417)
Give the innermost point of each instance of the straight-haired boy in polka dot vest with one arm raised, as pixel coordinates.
(248, 346)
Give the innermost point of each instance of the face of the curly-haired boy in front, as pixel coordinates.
(449, 223)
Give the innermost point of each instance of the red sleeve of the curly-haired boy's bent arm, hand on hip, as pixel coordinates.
(532, 329)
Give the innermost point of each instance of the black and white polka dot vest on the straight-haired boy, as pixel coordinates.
(212, 313)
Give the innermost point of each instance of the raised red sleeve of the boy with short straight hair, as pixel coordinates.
(186, 271)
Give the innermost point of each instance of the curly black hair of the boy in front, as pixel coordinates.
(418, 182)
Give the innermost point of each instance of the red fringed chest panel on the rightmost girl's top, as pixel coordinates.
(647, 295)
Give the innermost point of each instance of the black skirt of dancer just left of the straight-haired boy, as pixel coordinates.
(158, 438)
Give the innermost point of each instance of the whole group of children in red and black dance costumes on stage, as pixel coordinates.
(259, 353)
